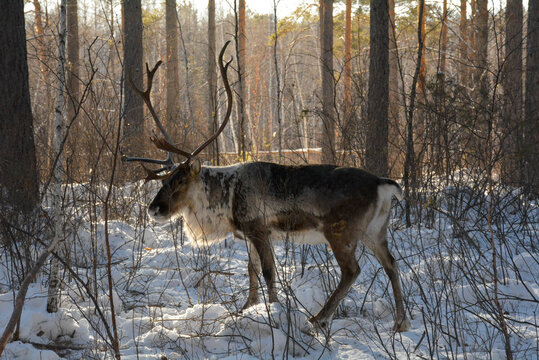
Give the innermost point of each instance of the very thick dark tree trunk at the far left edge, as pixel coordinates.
(18, 173)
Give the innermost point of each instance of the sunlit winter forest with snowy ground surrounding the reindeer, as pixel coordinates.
(440, 96)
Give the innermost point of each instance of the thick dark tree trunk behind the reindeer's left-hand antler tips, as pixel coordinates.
(133, 103)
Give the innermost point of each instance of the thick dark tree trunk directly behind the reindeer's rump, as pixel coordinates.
(378, 93)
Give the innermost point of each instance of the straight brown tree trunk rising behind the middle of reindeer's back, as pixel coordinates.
(328, 85)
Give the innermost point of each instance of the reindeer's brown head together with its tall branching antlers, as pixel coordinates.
(178, 180)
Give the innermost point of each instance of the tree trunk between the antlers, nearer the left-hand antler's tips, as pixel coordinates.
(172, 64)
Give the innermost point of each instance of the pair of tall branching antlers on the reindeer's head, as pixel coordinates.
(165, 143)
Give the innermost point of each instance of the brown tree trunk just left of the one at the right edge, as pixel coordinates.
(512, 93)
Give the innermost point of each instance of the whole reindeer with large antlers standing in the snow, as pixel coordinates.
(263, 202)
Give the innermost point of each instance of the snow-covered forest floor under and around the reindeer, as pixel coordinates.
(177, 300)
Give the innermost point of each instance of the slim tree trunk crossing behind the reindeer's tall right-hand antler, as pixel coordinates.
(212, 83)
